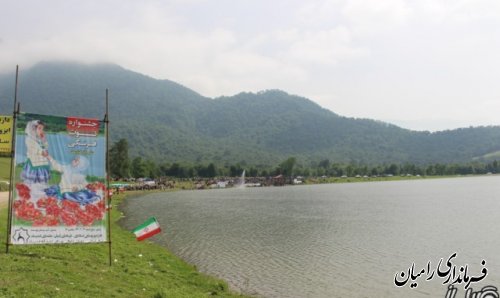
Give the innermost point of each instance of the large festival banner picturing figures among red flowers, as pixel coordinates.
(59, 194)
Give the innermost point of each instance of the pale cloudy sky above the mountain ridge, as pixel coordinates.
(420, 64)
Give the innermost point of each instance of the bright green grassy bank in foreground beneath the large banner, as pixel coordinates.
(139, 269)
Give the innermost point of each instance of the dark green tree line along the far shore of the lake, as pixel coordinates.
(124, 167)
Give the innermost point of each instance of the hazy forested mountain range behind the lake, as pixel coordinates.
(167, 122)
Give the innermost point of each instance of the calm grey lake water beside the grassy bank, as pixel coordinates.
(336, 240)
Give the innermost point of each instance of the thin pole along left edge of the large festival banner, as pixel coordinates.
(12, 150)
